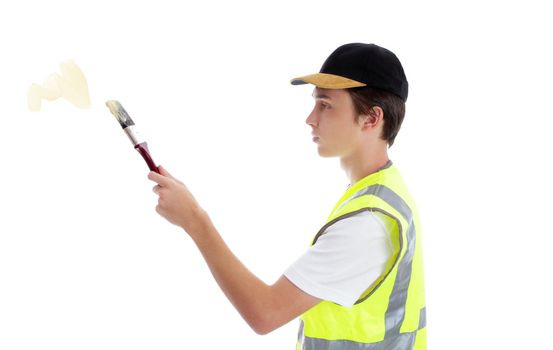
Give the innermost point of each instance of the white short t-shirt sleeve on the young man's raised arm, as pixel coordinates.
(346, 259)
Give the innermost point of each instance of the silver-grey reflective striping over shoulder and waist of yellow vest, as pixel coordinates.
(395, 314)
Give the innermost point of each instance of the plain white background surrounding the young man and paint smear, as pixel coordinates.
(87, 263)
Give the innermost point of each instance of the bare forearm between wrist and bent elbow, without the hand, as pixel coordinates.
(249, 295)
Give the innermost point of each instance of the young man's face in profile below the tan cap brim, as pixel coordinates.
(333, 121)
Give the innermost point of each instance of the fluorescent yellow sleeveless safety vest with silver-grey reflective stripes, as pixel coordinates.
(391, 313)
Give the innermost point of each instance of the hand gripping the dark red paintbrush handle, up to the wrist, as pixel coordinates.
(176, 203)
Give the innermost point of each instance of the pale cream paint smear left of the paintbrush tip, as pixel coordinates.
(71, 85)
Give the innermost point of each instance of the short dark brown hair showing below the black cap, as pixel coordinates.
(365, 98)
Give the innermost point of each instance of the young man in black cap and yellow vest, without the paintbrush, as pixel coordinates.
(360, 284)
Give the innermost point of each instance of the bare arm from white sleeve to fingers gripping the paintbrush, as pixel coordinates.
(263, 307)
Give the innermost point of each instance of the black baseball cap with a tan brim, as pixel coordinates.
(358, 64)
